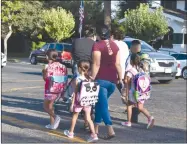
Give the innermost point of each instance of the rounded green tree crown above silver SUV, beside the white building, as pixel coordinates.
(144, 24)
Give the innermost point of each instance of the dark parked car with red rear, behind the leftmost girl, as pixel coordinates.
(64, 50)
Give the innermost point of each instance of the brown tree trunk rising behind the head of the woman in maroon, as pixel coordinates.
(107, 13)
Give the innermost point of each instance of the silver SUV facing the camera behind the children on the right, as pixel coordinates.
(163, 67)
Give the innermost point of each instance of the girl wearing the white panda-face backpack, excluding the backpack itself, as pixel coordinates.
(76, 108)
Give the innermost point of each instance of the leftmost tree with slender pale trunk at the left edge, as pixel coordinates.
(9, 11)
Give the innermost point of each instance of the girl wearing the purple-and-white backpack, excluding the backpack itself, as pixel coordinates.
(130, 89)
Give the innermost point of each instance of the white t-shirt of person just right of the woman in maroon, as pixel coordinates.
(124, 53)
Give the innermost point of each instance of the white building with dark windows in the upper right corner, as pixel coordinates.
(176, 13)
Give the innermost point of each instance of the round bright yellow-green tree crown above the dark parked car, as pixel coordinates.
(58, 23)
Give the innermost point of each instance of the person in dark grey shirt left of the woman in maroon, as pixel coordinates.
(82, 47)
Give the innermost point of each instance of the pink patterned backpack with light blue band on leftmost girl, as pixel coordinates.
(57, 74)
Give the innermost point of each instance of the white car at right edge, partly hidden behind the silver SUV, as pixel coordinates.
(182, 57)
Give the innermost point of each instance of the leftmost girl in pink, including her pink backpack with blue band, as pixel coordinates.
(55, 77)
